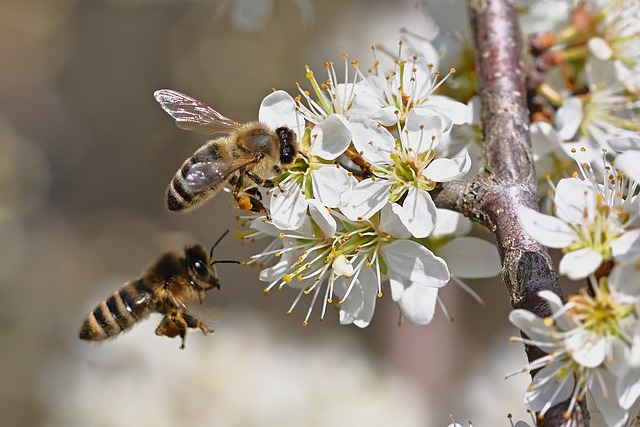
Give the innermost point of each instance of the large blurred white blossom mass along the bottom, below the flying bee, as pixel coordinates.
(250, 373)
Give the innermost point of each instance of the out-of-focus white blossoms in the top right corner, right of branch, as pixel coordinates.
(590, 93)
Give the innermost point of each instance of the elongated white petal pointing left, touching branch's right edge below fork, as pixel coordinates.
(546, 229)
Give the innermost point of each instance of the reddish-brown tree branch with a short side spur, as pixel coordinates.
(509, 179)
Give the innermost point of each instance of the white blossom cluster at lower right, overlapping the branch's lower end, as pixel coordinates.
(592, 340)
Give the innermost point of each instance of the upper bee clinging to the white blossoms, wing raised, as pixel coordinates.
(251, 150)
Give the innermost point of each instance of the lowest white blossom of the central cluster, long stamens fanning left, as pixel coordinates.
(330, 255)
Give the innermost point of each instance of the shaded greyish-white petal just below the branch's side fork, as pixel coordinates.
(471, 257)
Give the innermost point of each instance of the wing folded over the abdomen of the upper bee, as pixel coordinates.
(201, 176)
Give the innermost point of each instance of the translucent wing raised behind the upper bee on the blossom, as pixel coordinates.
(191, 114)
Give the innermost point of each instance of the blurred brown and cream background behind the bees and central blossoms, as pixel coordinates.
(85, 156)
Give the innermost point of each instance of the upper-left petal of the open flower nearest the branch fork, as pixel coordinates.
(375, 142)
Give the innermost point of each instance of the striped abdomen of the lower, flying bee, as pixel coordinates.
(120, 311)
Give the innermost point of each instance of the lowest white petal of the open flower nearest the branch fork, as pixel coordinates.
(418, 212)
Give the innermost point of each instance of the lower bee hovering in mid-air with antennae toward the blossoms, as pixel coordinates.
(168, 284)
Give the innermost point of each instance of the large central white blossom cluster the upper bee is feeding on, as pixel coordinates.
(354, 210)
